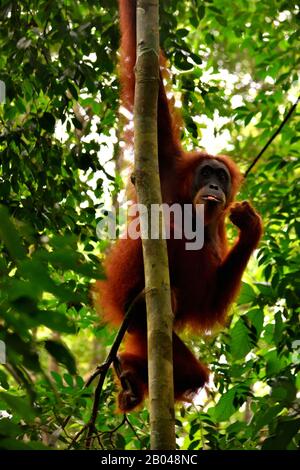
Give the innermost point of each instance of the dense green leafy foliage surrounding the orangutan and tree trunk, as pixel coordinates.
(58, 62)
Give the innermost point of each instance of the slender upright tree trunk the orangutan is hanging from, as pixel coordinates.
(157, 283)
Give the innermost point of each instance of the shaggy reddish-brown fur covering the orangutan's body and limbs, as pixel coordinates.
(203, 282)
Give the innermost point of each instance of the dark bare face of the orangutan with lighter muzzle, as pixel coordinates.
(212, 182)
